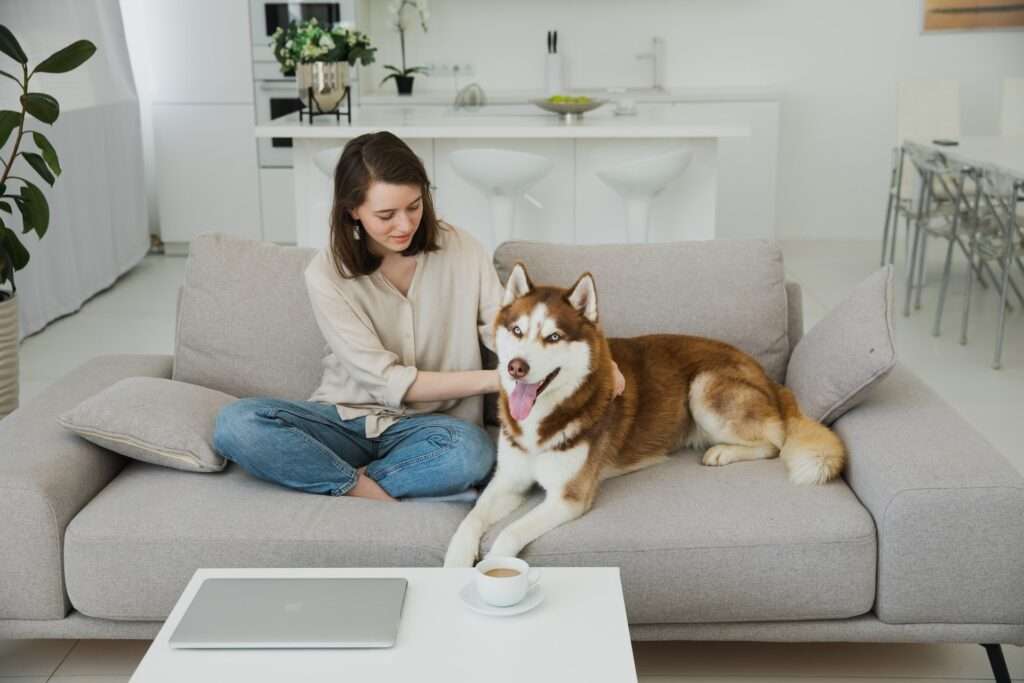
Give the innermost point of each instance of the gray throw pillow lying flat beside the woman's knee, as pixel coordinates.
(155, 420)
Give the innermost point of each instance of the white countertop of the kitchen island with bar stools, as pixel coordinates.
(506, 121)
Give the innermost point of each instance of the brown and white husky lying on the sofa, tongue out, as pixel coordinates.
(681, 392)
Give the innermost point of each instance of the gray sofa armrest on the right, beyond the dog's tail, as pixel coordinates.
(948, 506)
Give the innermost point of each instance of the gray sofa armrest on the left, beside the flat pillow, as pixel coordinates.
(48, 475)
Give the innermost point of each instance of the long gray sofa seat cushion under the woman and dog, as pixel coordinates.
(695, 543)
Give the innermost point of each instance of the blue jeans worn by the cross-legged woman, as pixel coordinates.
(307, 446)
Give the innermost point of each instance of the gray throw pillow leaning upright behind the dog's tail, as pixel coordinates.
(847, 353)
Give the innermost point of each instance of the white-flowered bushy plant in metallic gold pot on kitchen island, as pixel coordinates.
(320, 58)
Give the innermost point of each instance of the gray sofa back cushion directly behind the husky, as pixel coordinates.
(731, 290)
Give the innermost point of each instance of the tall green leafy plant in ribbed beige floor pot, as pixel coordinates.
(29, 201)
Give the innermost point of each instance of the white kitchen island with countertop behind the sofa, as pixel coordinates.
(575, 205)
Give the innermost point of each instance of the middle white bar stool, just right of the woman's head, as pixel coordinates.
(503, 176)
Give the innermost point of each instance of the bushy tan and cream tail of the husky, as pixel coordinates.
(813, 453)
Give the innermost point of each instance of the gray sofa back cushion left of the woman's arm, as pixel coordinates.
(245, 324)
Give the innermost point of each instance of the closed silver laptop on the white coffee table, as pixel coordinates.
(292, 613)
